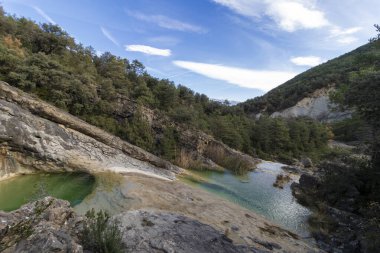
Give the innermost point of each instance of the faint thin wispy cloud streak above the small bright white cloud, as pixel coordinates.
(167, 23)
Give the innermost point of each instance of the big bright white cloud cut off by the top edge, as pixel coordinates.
(289, 15)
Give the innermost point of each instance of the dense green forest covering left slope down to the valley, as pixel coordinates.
(44, 60)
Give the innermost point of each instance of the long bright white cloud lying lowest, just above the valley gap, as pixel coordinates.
(256, 79)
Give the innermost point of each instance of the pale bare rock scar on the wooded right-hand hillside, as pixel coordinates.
(316, 106)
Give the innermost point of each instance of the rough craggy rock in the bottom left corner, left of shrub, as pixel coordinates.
(54, 227)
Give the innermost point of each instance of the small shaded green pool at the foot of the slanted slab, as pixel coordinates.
(17, 191)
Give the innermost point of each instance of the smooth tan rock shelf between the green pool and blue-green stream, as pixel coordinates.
(138, 192)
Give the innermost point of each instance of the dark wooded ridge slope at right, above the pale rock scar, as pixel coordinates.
(336, 72)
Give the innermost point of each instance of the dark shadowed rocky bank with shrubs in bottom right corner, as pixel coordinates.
(339, 228)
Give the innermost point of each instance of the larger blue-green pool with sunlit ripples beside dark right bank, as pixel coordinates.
(255, 191)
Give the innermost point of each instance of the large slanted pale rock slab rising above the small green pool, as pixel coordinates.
(35, 135)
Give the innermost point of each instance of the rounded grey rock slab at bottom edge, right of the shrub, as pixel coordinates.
(148, 231)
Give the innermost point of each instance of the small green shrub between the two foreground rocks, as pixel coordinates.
(101, 234)
